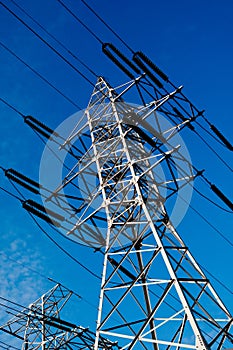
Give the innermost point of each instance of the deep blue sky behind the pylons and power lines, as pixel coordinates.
(191, 41)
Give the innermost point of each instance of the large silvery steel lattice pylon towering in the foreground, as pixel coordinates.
(154, 295)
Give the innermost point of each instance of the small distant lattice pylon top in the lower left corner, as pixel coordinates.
(40, 326)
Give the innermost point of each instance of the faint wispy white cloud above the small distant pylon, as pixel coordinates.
(18, 282)
